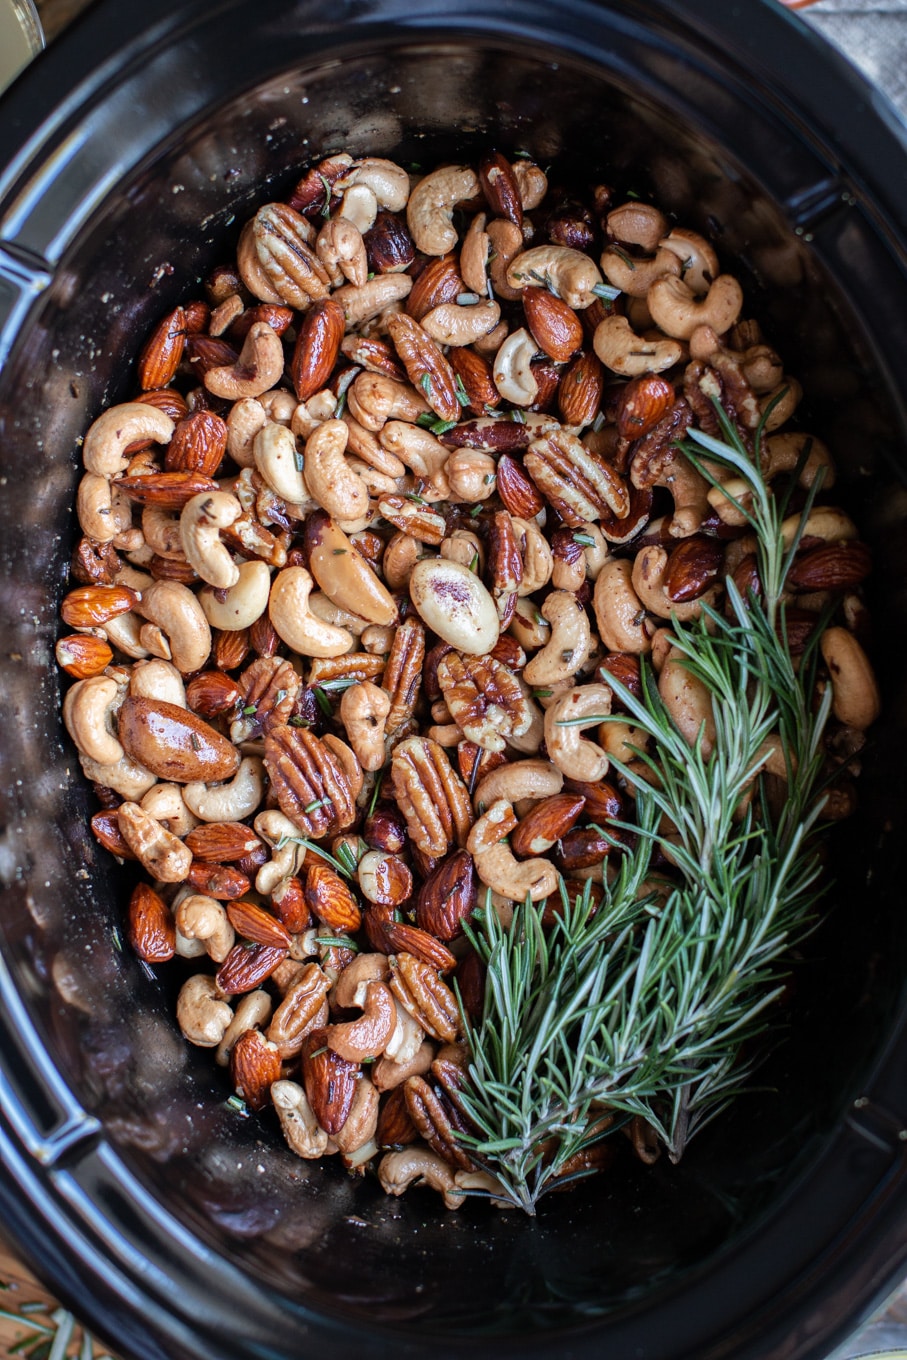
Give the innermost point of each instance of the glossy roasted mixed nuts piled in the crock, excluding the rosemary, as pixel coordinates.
(396, 498)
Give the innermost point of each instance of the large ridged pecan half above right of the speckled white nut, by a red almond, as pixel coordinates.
(575, 481)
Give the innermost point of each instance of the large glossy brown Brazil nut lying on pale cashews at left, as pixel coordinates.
(173, 743)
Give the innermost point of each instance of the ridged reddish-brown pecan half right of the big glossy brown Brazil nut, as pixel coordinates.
(312, 788)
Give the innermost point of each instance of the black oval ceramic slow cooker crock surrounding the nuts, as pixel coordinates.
(131, 152)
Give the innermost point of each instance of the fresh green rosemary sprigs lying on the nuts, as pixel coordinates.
(649, 1006)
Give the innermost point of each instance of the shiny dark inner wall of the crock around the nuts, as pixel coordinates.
(108, 1023)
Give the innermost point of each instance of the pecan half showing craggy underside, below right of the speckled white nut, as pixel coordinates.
(485, 698)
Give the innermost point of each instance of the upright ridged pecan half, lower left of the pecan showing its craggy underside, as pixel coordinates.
(430, 795)
